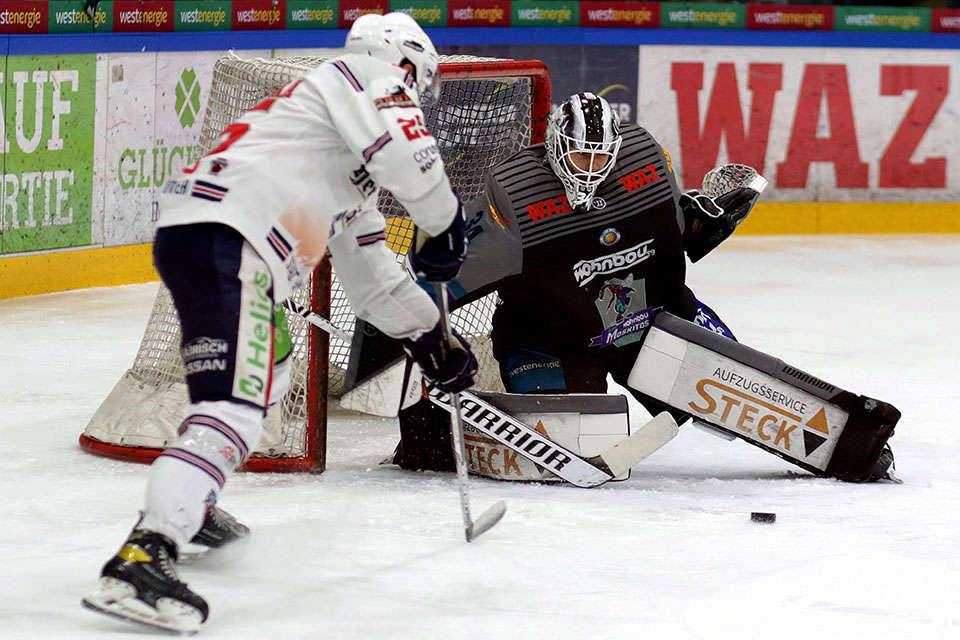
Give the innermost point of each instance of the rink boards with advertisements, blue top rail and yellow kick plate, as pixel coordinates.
(854, 133)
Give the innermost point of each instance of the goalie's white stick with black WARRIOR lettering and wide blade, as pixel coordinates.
(534, 446)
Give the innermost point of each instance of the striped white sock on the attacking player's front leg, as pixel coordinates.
(190, 473)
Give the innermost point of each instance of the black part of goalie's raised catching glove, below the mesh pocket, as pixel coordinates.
(710, 221)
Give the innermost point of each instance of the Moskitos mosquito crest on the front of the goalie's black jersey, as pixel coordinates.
(622, 304)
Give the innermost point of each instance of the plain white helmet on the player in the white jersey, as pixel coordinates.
(397, 38)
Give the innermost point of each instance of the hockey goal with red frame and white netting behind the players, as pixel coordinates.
(488, 110)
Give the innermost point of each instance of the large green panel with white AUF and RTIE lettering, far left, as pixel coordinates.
(48, 117)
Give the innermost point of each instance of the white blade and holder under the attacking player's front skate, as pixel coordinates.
(117, 599)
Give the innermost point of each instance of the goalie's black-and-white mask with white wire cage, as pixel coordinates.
(583, 138)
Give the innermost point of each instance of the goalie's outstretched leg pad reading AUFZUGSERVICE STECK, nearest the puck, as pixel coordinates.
(758, 398)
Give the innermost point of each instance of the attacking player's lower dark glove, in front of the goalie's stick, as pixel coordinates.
(451, 367)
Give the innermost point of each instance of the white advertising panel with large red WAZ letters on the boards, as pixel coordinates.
(821, 124)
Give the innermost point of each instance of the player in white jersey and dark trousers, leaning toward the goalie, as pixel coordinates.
(294, 178)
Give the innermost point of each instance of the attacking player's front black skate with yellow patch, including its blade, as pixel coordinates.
(139, 584)
